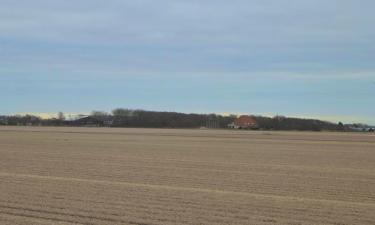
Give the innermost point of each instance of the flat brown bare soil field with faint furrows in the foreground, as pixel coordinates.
(167, 176)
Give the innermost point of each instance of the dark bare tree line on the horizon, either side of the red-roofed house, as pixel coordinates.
(152, 119)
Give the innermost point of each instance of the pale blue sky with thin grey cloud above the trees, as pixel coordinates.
(303, 58)
